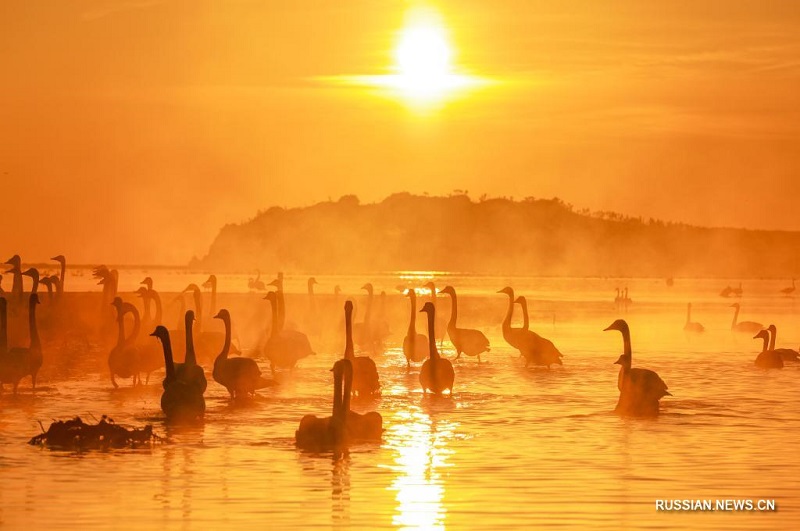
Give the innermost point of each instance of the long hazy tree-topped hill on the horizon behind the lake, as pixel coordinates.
(493, 236)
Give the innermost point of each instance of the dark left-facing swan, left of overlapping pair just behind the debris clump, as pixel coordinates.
(181, 400)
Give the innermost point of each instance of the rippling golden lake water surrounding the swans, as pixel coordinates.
(513, 447)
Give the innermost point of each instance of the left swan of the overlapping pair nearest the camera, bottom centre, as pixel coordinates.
(329, 433)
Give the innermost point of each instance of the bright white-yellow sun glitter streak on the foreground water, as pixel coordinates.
(421, 450)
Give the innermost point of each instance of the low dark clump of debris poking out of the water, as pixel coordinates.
(75, 434)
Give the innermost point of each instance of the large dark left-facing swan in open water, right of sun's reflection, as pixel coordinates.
(639, 389)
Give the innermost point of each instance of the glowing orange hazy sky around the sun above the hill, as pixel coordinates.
(131, 131)
